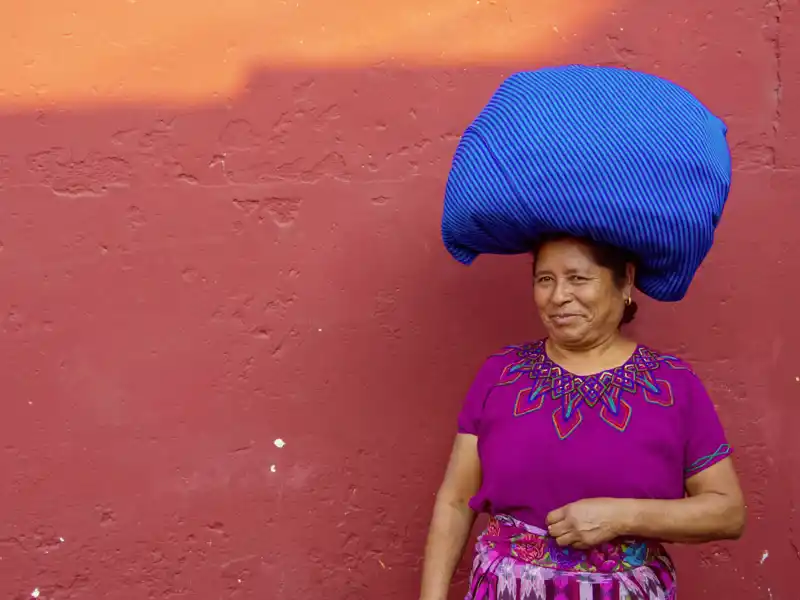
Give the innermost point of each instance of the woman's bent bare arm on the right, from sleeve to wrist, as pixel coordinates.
(714, 509)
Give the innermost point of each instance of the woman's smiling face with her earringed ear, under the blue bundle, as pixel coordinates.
(578, 300)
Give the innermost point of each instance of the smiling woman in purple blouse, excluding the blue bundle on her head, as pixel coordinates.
(586, 448)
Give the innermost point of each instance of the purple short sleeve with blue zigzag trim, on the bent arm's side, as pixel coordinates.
(706, 443)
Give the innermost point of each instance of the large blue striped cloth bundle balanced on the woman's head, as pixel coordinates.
(611, 154)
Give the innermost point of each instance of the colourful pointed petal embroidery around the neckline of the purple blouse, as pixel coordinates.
(571, 391)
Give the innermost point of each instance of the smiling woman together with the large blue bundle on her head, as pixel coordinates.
(587, 449)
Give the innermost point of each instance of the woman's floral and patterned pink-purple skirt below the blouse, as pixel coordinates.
(516, 561)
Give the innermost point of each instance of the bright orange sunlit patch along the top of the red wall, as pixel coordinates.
(89, 51)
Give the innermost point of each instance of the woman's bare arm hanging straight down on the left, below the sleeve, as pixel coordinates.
(452, 518)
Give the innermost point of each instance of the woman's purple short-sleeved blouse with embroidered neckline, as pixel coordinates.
(547, 437)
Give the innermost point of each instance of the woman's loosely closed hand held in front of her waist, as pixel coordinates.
(587, 523)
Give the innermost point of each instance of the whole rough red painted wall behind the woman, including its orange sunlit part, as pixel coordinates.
(219, 229)
